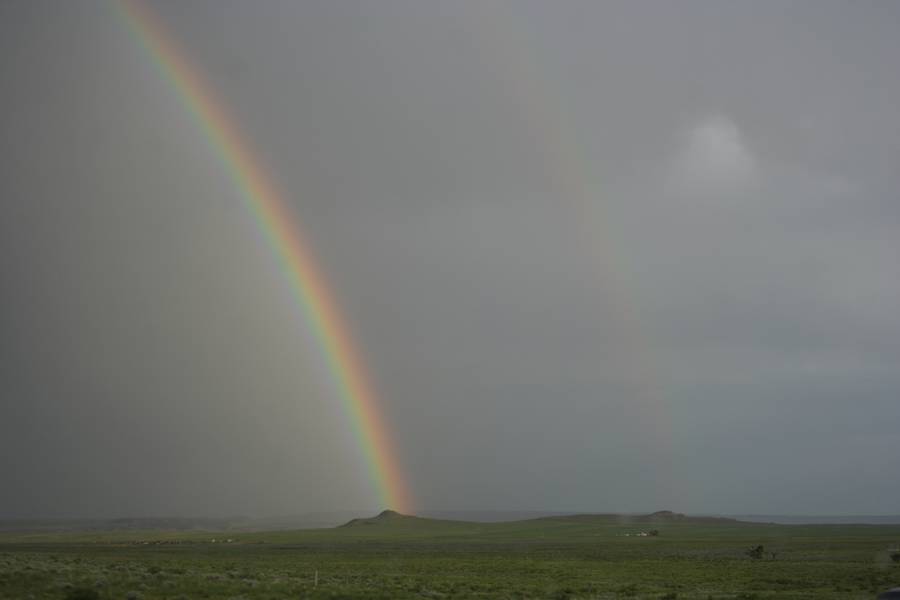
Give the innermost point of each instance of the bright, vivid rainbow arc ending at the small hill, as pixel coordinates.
(274, 219)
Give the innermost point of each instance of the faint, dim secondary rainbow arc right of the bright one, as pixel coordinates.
(506, 43)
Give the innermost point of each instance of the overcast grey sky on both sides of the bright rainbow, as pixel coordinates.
(598, 255)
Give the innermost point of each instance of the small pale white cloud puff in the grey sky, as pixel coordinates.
(714, 160)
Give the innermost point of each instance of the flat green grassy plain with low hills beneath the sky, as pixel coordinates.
(406, 557)
